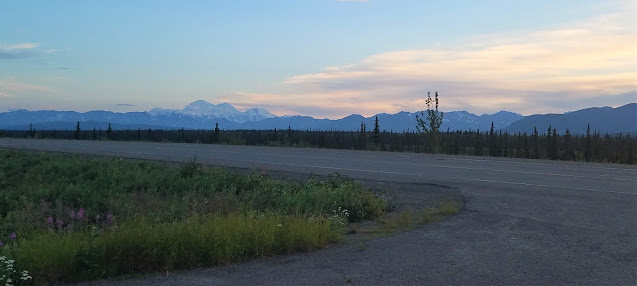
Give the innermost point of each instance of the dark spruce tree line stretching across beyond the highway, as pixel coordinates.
(540, 144)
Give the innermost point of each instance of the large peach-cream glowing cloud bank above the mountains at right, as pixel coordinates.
(555, 70)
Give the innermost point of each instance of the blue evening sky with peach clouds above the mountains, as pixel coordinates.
(322, 58)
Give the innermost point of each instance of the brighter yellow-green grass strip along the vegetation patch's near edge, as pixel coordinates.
(142, 246)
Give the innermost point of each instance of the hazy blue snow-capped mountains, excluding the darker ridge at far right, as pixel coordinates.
(204, 115)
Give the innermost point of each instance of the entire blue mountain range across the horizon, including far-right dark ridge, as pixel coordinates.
(203, 115)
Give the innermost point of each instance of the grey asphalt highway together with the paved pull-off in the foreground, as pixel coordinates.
(526, 222)
